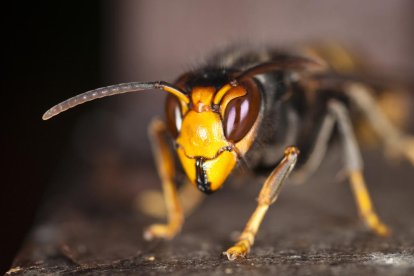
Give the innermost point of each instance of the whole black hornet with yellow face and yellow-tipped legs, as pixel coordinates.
(292, 103)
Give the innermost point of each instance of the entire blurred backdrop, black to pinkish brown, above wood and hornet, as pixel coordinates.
(53, 50)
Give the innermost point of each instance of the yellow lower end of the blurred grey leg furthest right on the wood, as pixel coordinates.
(365, 207)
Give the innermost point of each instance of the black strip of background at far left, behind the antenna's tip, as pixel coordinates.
(49, 50)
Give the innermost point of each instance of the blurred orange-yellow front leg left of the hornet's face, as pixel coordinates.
(166, 170)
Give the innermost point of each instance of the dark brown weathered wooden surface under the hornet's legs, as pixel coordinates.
(312, 229)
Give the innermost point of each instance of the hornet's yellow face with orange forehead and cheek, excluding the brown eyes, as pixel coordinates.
(206, 153)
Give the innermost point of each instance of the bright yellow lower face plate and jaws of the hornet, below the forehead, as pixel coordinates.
(203, 150)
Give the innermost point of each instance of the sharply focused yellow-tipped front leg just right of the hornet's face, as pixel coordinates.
(268, 195)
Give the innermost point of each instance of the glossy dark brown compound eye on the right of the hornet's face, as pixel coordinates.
(241, 113)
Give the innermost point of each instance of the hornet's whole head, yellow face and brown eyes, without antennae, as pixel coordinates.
(214, 130)
